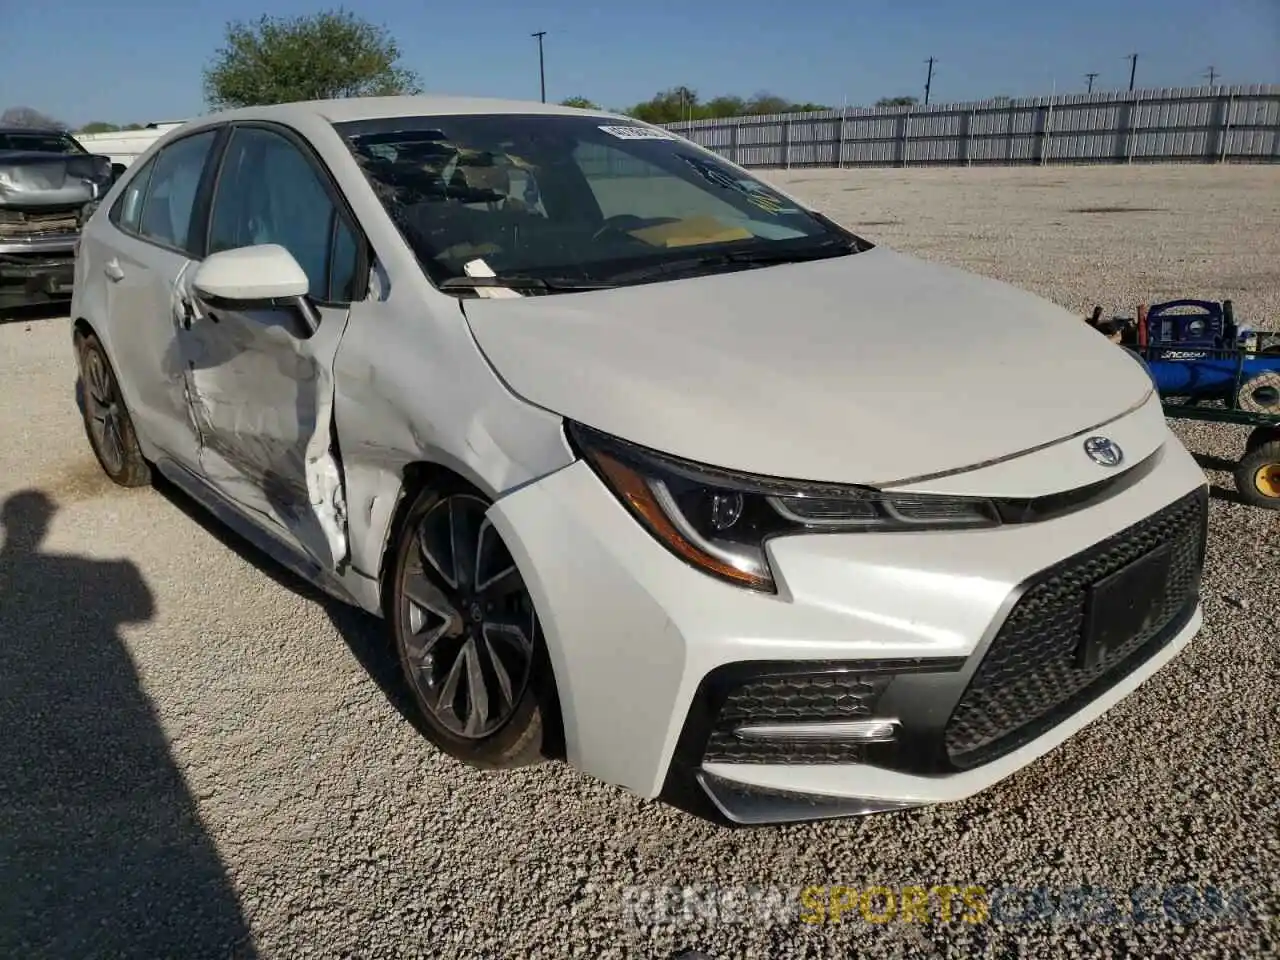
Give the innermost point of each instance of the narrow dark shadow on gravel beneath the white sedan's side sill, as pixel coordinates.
(364, 634)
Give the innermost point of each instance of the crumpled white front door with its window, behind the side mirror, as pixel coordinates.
(260, 377)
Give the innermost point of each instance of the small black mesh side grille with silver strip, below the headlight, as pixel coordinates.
(798, 698)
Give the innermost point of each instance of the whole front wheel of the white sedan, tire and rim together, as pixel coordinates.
(436, 607)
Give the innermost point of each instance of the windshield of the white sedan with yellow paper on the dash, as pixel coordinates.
(588, 198)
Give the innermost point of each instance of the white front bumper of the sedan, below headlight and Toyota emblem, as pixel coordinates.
(967, 641)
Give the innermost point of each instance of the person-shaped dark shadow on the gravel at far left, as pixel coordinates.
(102, 847)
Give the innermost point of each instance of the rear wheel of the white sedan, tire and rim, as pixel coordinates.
(108, 424)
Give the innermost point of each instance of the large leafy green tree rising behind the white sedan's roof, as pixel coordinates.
(321, 57)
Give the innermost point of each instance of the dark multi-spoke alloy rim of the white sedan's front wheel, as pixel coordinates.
(468, 624)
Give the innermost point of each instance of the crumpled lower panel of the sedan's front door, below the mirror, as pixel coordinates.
(262, 397)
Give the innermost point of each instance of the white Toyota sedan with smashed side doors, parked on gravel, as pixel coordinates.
(647, 465)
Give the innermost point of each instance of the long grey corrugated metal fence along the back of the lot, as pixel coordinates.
(1182, 125)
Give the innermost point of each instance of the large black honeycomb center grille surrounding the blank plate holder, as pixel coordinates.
(1028, 680)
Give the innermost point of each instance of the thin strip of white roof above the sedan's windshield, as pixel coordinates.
(374, 108)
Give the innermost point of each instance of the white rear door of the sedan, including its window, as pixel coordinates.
(141, 258)
